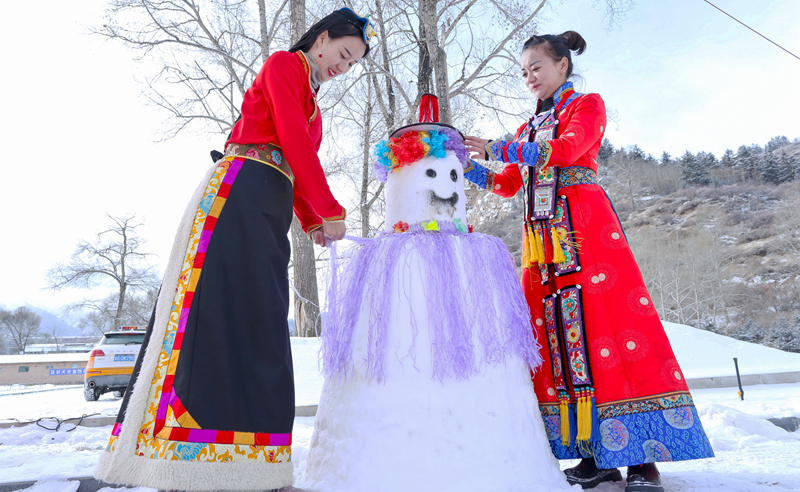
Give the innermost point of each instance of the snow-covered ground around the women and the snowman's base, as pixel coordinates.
(752, 453)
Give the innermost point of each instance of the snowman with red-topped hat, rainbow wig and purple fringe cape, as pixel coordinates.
(427, 346)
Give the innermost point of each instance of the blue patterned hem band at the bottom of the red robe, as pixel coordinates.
(675, 434)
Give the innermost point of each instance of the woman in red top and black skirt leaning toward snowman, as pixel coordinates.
(212, 406)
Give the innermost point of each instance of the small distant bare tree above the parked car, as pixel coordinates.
(116, 257)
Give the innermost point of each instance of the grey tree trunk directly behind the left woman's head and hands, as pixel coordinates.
(305, 270)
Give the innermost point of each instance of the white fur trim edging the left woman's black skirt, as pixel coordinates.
(123, 466)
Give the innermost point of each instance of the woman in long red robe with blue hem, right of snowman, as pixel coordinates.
(611, 391)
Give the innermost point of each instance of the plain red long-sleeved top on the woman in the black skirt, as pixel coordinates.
(281, 108)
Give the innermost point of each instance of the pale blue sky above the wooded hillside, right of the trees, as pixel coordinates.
(683, 76)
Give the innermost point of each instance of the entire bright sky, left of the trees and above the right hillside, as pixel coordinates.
(79, 137)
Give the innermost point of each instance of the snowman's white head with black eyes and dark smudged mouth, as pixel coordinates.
(428, 189)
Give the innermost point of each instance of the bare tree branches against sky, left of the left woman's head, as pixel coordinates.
(209, 52)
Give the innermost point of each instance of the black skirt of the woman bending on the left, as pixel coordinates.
(234, 369)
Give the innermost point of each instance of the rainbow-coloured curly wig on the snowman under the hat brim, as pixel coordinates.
(413, 146)
